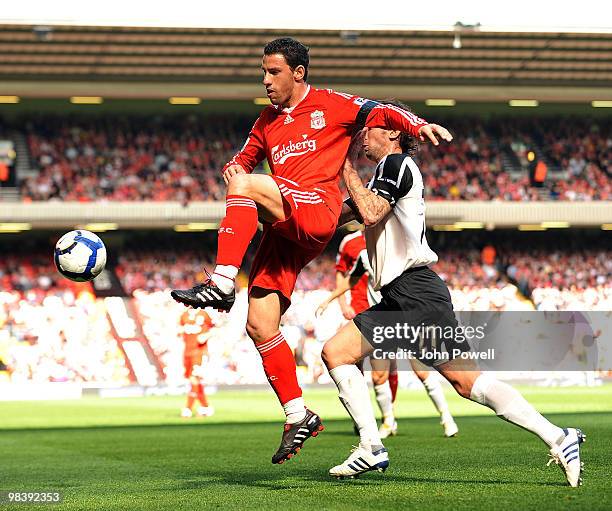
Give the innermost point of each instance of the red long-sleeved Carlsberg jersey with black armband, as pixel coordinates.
(307, 143)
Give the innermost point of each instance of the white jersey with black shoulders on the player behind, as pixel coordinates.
(398, 241)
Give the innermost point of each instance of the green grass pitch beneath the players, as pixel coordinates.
(136, 453)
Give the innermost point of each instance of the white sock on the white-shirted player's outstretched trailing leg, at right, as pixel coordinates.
(509, 404)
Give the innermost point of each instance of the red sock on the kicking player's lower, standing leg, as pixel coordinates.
(279, 366)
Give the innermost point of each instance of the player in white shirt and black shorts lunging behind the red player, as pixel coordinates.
(393, 210)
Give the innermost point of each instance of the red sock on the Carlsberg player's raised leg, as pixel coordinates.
(236, 230)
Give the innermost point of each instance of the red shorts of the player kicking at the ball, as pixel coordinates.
(289, 245)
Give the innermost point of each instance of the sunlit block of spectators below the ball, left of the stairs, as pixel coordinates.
(59, 337)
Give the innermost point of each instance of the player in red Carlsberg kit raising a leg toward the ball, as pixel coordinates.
(305, 135)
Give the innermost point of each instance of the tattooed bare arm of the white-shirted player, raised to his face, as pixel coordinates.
(371, 207)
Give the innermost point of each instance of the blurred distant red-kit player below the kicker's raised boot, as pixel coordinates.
(195, 326)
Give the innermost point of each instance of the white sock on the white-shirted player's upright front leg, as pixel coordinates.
(354, 395)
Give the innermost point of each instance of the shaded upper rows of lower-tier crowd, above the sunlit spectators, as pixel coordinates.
(158, 269)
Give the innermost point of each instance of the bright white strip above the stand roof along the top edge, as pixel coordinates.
(515, 16)
